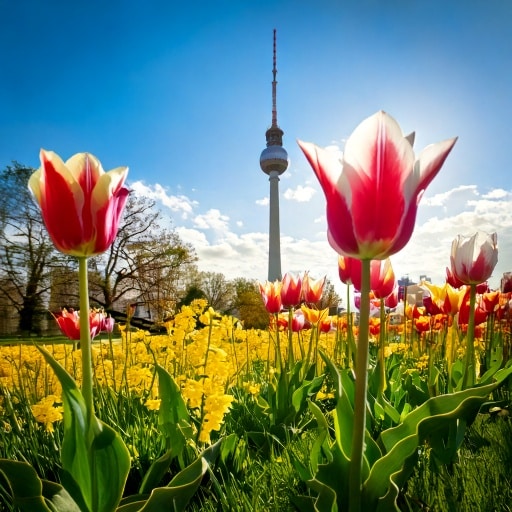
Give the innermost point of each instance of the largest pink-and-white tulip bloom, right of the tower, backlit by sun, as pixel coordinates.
(373, 192)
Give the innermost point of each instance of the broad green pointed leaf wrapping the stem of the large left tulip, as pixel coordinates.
(95, 461)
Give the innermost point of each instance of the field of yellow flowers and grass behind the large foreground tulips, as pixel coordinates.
(266, 400)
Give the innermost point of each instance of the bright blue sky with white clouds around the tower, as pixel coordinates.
(181, 93)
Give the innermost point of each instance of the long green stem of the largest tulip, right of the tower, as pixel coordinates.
(361, 385)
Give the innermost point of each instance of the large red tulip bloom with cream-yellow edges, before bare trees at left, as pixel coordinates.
(81, 204)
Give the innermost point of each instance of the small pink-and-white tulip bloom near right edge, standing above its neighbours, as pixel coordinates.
(473, 258)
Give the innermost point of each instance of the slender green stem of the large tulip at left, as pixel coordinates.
(85, 337)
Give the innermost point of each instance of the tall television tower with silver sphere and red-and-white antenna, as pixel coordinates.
(274, 161)
